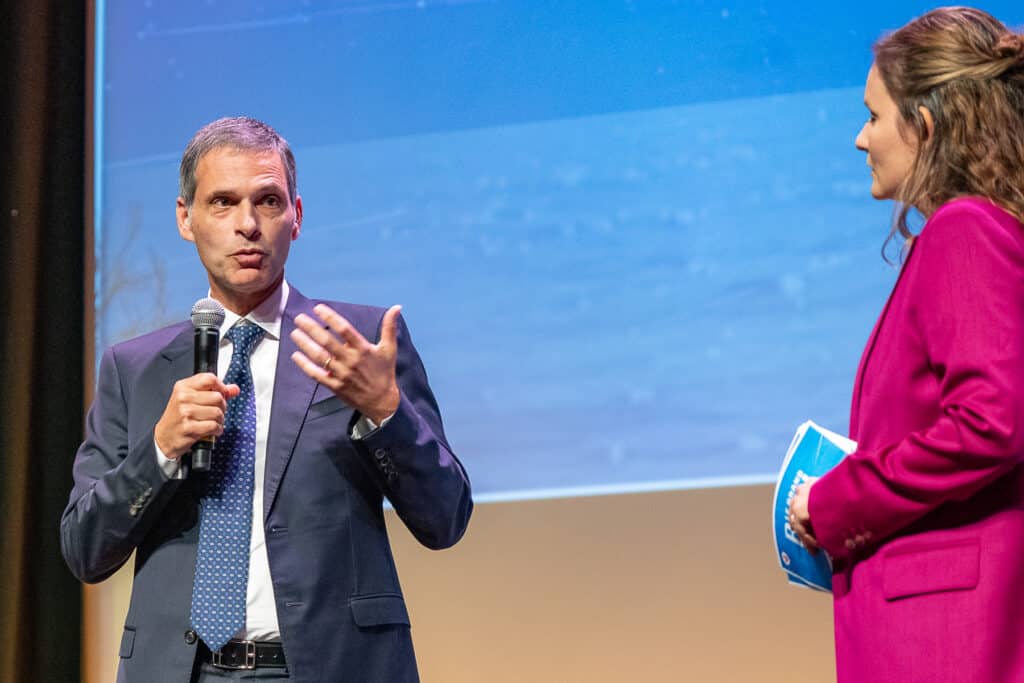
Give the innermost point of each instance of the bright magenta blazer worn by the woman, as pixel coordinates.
(925, 522)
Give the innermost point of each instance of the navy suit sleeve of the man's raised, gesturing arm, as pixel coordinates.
(413, 462)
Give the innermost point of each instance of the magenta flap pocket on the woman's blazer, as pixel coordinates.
(936, 568)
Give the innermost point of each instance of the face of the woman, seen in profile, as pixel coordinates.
(890, 155)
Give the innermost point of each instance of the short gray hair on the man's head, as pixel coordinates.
(242, 134)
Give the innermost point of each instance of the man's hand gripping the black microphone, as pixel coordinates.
(195, 411)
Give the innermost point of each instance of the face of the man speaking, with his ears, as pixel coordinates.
(242, 223)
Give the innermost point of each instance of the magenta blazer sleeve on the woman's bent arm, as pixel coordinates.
(971, 321)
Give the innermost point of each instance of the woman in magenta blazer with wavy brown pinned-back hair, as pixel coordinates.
(925, 522)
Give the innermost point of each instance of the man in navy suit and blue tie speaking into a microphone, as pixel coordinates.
(277, 563)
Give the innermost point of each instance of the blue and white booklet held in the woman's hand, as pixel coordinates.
(814, 452)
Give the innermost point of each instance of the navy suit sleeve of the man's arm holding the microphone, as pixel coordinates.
(119, 488)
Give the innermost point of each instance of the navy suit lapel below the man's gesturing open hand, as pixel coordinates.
(293, 392)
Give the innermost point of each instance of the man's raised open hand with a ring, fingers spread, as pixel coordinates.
(339, 358)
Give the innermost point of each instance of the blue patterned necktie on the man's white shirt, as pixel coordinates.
(219, 609)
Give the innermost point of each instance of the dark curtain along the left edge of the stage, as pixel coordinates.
(42, 114)
